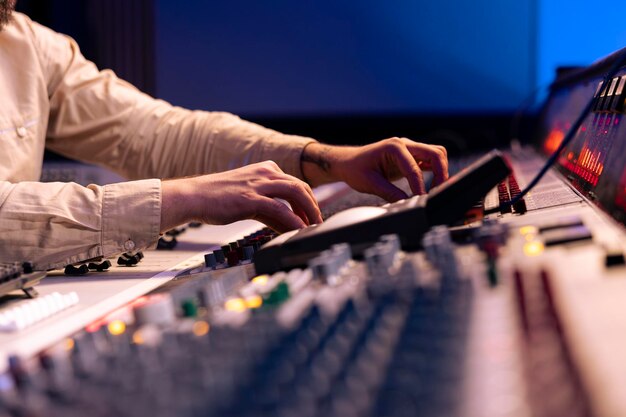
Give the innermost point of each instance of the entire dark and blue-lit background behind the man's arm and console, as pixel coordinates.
(454, 72)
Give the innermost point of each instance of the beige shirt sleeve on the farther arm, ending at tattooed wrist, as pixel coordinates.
(98, 118)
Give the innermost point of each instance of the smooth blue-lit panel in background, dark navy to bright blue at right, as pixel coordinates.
(363, 57)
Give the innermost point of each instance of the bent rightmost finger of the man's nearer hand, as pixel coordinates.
(303, 203)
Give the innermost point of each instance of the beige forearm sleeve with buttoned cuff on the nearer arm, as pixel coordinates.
(57, 224)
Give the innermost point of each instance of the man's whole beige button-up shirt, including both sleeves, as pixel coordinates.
(52, 97)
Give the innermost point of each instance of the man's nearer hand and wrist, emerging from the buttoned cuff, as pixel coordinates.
(245, 193)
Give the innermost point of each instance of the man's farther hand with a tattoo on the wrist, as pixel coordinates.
(371, 168)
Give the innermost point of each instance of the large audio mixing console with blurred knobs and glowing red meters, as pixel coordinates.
(509, 310)
